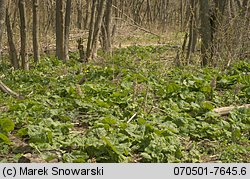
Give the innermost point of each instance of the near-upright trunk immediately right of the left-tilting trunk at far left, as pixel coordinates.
(23, 33)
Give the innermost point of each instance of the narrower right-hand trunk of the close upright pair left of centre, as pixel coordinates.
(67, 29)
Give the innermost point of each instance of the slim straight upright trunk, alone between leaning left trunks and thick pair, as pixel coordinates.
(35, 31)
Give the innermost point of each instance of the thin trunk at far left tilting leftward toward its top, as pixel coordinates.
(12, 49)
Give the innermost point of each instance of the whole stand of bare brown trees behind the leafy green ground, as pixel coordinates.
(95, 23)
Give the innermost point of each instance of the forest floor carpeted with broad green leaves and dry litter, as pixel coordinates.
(133, 106)
